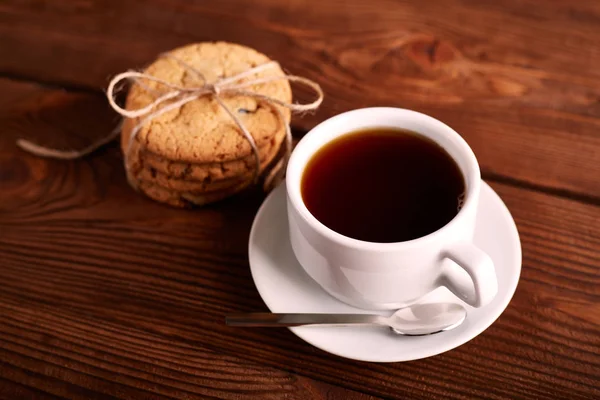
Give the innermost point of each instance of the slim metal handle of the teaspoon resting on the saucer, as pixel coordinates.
(289, 320)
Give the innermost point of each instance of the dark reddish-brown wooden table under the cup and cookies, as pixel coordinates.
(104, 293)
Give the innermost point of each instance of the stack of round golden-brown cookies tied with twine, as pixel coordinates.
(196, 154)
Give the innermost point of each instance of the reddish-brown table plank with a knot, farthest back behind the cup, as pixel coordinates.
(516, 79)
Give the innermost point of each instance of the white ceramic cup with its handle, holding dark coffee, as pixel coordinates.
(391, 275)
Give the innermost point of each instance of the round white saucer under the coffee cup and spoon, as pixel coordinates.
(285, 287)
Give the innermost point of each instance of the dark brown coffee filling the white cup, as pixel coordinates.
(383, 185)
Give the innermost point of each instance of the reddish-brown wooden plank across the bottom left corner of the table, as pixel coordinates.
(62, 353)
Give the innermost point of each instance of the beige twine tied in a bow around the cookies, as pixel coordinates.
(179, 95)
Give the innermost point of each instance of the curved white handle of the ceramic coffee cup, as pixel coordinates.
(480, 268)
